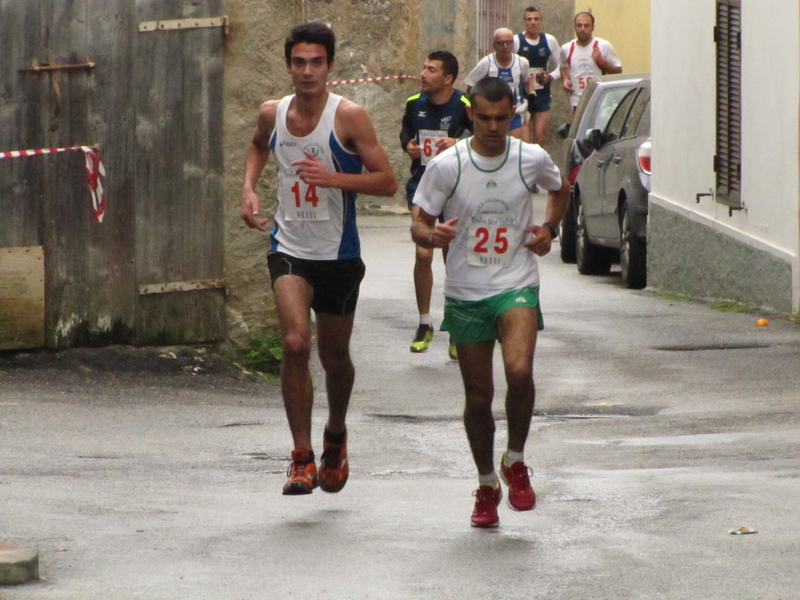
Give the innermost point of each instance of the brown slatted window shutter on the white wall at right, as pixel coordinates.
(727, 162)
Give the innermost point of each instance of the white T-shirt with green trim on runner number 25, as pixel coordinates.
(492, 199)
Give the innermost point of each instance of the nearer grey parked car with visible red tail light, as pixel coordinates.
(611, 191)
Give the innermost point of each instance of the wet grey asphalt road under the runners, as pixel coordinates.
(660, 426)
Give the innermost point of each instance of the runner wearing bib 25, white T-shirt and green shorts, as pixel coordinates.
(483, 185)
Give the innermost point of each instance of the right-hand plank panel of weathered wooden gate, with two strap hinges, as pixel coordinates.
(179, 213)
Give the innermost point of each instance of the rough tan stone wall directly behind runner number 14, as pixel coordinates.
(374, 38)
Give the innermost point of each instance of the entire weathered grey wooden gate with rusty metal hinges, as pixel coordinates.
(113, 74)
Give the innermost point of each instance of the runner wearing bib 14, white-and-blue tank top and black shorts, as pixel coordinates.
(320, 142)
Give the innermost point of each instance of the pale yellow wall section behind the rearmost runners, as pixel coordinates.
(626, 24)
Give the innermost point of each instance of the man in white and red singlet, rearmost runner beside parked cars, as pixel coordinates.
(586, 58)
